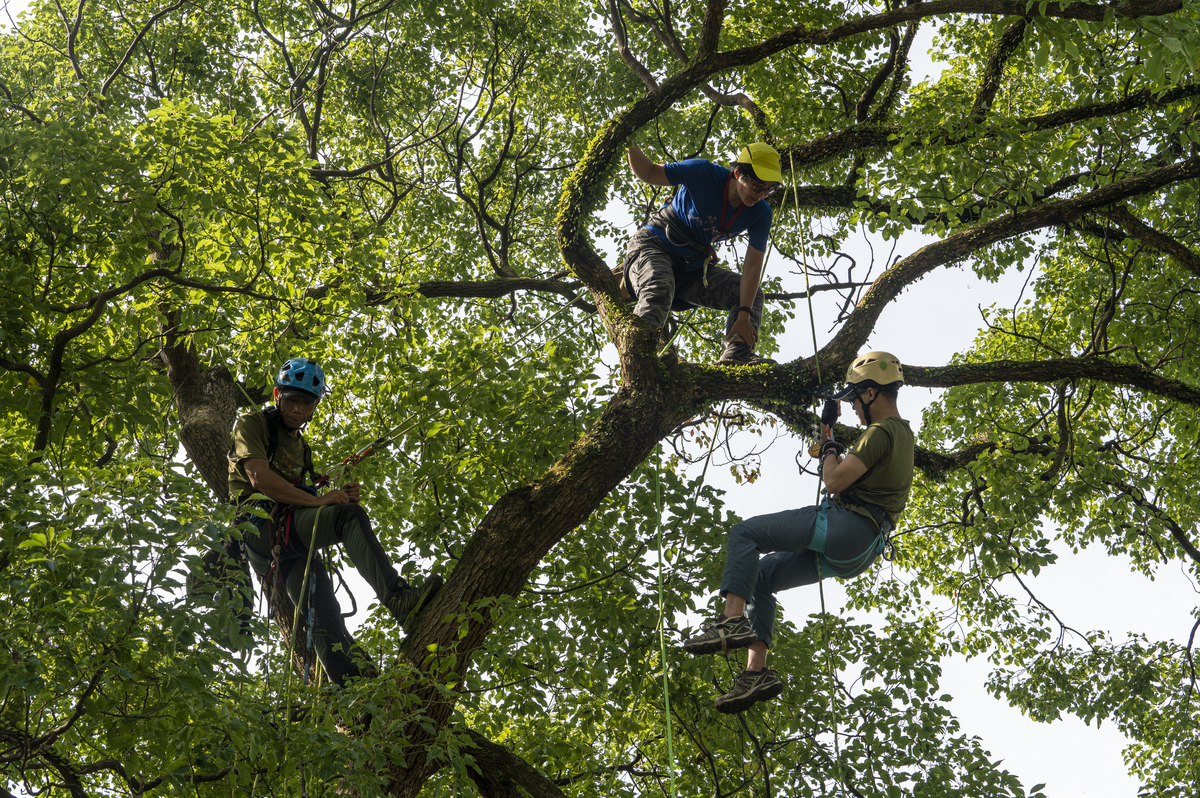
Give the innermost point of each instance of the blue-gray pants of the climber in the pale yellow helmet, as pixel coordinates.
(785, 539)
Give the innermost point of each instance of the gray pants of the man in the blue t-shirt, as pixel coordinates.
(651, 274)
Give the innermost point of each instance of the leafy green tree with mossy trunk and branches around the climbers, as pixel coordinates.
(416, 195)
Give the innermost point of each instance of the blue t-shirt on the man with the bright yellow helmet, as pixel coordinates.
(699, 203)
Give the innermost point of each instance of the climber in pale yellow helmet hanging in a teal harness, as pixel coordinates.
(867, 491)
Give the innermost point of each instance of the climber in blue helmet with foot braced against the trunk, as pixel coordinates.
(271, 457)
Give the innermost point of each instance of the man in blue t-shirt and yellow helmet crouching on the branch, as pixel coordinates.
(671, 262)
